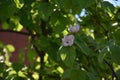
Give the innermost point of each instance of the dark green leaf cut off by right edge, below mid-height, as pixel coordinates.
(115, 53)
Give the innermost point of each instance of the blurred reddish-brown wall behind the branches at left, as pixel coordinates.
(17, 40)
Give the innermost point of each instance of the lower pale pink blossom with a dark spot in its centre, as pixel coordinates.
(68, 40)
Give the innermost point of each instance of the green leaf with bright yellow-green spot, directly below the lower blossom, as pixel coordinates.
(67, 55)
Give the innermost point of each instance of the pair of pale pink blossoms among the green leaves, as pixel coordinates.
(68, 40)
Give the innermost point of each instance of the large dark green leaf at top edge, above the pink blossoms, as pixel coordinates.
(76, 5)
